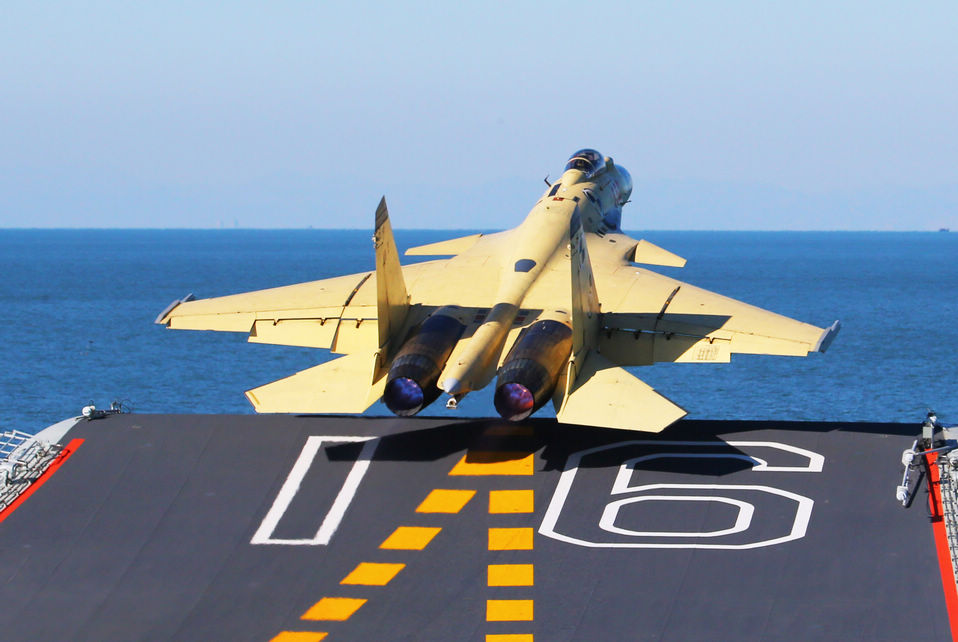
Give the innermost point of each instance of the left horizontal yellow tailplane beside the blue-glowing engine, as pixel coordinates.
(343, 385)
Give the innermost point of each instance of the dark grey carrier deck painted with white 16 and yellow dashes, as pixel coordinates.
(145, 534)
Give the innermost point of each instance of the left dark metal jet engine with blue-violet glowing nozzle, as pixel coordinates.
(411, 383)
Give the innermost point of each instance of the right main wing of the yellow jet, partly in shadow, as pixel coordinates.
(648, 318)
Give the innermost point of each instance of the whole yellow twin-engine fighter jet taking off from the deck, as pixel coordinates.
(553, 309)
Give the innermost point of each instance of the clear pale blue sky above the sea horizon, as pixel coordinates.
(729, 115)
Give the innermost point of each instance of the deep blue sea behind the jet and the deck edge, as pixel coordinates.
(79, 306)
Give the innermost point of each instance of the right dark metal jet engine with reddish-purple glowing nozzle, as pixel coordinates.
(529, 374)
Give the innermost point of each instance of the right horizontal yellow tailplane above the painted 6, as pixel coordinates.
(608, 396)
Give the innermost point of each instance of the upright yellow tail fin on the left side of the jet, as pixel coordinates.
(391, 298)
